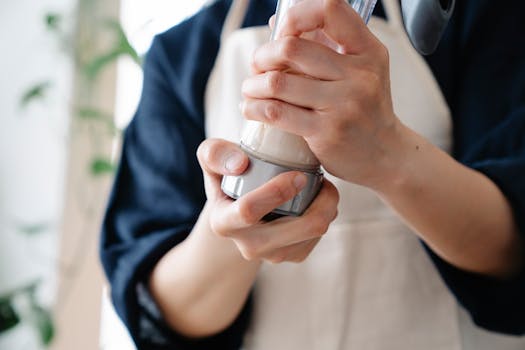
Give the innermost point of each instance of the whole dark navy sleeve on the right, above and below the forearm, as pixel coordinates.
(481, 68)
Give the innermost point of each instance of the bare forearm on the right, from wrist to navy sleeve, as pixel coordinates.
(460, 213)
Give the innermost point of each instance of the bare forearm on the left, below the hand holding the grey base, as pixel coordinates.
(202, 284)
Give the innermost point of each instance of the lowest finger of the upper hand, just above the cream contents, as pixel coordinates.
(287, 117)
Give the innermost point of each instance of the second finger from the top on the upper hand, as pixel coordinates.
(301, 56)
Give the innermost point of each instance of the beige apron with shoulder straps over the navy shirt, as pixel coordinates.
(369, 284)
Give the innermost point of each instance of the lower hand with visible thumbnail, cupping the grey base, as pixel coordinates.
(284, 239)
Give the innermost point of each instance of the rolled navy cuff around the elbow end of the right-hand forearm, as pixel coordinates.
(497, 305)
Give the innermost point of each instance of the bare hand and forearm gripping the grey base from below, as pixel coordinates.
(202, 283)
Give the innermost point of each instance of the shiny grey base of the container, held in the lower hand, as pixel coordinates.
(260, 171)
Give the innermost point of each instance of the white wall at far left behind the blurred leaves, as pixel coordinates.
(33, 144)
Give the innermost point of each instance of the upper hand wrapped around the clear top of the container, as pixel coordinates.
(340, 102)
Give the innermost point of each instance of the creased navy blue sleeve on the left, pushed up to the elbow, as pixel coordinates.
(158, 192)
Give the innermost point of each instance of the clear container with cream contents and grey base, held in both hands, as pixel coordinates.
(273, 151)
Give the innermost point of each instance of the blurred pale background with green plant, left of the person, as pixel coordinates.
(70, 82)
